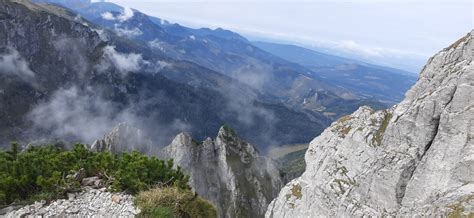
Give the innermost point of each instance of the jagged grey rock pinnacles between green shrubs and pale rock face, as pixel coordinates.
(227, 171)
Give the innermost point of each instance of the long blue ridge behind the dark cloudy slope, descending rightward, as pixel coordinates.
(222, 51)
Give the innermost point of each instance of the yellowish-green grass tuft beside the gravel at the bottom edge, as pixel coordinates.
(173, 202)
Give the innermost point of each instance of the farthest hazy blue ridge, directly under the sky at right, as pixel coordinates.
(371, 81)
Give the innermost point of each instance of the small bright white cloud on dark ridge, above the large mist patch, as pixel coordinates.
(123, 63)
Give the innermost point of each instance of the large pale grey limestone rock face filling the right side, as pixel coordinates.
(416, 158)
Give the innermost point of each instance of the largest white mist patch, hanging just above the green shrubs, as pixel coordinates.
(73, 114)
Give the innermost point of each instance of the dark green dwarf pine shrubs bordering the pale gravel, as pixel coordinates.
(48, 172)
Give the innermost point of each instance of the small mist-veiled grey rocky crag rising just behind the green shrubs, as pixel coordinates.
(123, 138)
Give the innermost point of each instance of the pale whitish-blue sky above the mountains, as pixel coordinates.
(396, 33)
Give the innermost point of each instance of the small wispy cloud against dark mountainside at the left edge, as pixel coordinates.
(11, 63)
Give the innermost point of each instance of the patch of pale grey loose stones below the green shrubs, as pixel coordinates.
(88, 203)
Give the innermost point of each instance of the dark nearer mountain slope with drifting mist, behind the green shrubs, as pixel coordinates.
(71, 80)
